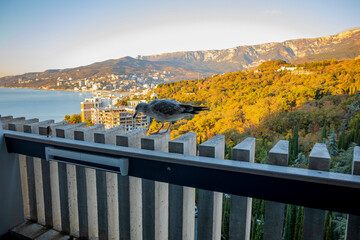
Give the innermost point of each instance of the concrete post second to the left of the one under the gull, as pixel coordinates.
(110, 205)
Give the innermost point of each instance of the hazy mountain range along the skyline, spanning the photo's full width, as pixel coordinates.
(189, 64)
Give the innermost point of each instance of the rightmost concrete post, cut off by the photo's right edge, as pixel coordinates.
(353, 221)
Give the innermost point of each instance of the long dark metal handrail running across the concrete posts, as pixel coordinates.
(311, 188)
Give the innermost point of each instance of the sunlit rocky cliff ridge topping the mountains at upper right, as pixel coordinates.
(251, 56)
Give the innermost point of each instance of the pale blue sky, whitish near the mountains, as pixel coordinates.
(39, 35)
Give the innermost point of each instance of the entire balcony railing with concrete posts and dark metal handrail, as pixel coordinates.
(91, 183)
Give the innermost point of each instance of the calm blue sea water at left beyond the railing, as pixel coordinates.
(41, 104)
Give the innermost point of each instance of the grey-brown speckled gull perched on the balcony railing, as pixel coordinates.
(167, 110)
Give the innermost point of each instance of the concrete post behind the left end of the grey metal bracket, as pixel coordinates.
(47, 174)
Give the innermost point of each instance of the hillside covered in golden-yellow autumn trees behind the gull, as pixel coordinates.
(268, 102)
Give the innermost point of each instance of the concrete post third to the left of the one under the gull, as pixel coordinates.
(84, 191)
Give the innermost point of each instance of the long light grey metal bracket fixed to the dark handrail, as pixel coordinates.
(88, 160)
